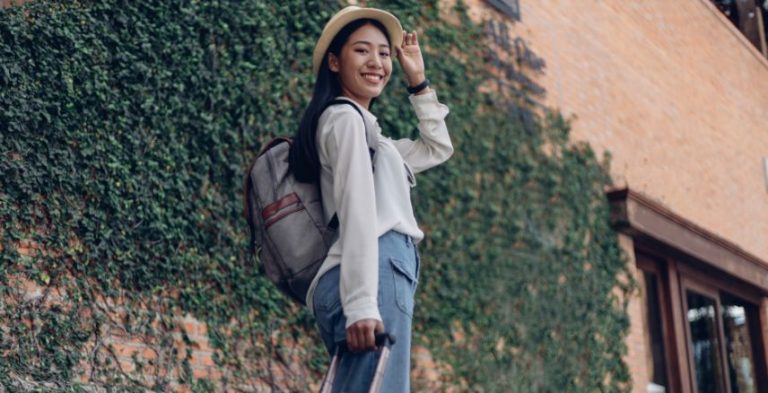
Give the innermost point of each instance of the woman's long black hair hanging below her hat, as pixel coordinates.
(303, 159)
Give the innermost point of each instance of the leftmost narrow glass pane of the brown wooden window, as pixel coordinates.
(655, 336)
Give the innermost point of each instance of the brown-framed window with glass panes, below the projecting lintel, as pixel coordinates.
(717, 330)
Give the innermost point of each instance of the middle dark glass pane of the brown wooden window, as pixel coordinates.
(705, 347)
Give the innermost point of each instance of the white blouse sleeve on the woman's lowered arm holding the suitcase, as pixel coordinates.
(355, 200)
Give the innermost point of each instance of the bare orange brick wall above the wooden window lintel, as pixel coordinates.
(673, 91)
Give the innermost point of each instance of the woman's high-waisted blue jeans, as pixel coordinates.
(398, 278)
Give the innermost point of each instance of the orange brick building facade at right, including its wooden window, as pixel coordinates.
(676, 91)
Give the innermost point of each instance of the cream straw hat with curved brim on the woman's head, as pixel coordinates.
(347, 15)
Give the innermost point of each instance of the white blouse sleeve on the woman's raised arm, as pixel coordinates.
(433, 146)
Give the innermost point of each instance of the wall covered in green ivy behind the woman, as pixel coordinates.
(125, 131)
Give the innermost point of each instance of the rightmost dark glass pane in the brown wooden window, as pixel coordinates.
(739, 346)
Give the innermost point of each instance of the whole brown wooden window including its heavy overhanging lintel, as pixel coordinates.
(701, 298)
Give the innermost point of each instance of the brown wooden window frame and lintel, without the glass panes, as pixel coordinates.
(683, 255)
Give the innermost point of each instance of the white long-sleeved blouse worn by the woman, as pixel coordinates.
(369, 202)
